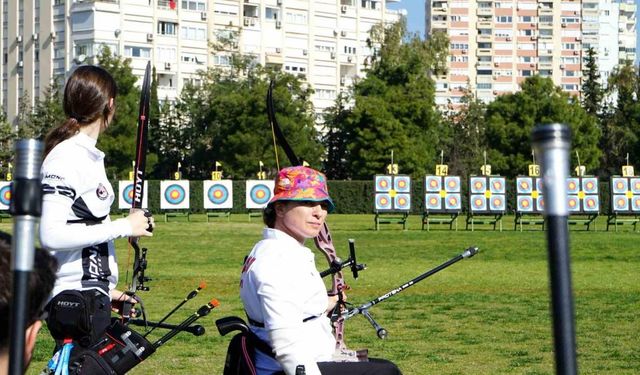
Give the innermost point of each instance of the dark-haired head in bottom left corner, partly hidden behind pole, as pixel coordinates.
(40, 284)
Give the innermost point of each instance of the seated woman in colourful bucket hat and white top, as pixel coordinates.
(283, 294)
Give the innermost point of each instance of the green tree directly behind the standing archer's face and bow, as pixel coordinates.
(118, 141)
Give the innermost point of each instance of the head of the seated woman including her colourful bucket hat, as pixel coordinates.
(300, 203)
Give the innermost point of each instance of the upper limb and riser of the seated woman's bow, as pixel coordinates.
(323, 241)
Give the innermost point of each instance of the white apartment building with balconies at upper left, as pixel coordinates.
(323, 41)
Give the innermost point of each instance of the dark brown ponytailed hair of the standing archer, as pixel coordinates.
(86, 99)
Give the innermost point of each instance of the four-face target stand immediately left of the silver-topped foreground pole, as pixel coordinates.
(529, 202)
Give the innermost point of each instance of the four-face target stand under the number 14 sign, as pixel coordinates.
(442, 201)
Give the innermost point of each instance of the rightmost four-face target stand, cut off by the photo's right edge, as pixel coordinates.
(625, 202)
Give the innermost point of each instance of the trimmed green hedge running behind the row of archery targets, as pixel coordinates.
(350, 197)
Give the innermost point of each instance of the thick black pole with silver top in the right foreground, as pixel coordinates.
(552, 142)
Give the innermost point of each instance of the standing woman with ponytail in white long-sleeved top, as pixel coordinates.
(77, 197)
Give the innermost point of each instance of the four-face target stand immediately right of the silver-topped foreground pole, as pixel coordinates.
(583, 201)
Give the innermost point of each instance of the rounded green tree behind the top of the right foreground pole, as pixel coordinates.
(511, 119)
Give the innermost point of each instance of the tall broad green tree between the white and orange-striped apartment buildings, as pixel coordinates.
(395, 104)
